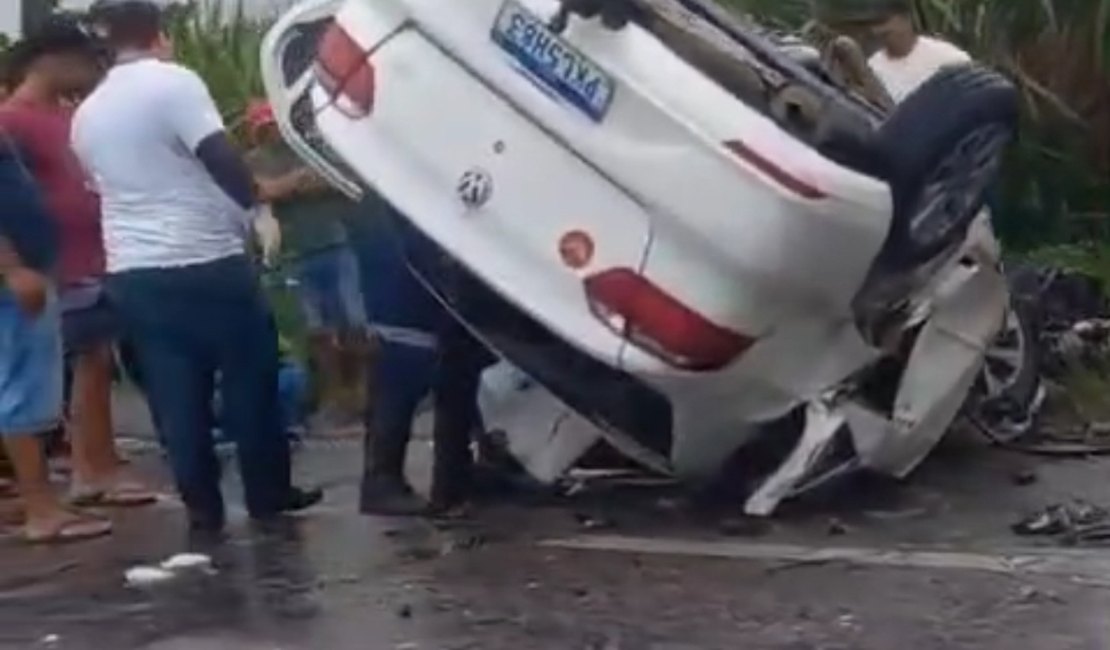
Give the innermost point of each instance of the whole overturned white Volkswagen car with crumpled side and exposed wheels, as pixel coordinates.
(695, 235)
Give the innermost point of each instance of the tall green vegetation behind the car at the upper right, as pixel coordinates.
(1056, 188)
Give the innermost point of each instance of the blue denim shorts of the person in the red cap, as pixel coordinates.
(329, 290)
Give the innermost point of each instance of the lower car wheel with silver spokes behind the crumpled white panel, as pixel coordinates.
(1010, 393)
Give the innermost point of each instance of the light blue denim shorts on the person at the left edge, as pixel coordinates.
(31, 369)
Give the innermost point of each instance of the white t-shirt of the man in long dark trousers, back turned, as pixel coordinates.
(136, 136)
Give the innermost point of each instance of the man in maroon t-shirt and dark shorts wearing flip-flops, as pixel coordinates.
(55, 66)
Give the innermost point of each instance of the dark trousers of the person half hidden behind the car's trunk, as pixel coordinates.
(406, 377)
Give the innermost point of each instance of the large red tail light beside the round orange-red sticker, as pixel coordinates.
(653, 320)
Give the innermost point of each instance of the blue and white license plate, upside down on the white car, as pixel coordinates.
(558, 66)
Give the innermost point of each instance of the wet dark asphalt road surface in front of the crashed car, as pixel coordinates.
(931, 565)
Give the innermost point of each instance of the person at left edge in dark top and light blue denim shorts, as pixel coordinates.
(32, 363)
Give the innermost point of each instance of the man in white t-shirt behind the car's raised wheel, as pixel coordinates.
(909, 59)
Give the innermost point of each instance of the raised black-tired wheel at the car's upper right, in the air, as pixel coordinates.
(942, 150)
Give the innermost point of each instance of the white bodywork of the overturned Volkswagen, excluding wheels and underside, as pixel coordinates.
(681, 186)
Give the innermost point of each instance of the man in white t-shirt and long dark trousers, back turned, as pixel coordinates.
(177, 205)
